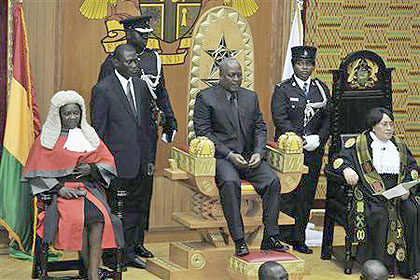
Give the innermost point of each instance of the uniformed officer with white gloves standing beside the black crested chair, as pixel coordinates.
(299, 104)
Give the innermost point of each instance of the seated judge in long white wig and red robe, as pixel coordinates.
(69, 164)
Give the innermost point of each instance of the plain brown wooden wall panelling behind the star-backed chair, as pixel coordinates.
(67, 54)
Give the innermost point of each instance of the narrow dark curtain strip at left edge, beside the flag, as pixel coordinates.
(3, 69)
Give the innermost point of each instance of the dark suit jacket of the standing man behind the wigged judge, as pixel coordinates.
(129, 137)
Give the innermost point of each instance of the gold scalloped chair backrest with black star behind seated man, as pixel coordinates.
(220, 33)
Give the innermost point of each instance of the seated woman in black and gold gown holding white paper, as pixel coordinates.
(377, 160)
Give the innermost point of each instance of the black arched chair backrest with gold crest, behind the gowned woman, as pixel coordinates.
(361, 83)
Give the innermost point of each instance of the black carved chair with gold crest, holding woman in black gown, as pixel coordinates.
(361, 83)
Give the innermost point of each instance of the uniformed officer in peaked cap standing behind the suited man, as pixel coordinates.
(150, 70)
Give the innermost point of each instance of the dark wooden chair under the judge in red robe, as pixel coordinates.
(41, 265)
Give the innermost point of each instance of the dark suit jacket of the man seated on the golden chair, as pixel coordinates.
(213, 118)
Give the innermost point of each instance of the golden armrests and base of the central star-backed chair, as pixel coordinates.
(196, 165)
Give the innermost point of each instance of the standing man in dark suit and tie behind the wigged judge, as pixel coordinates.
(120, 113)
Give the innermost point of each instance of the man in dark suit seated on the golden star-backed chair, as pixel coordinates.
(229, 115)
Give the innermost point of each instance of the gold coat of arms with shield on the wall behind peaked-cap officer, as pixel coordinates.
(172, 21)
